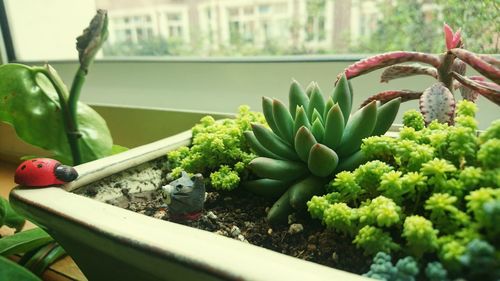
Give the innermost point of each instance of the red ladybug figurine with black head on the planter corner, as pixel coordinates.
(41, 172)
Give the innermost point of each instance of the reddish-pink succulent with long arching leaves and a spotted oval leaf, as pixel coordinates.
(436, 102)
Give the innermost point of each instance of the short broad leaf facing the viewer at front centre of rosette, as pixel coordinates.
(322, 160)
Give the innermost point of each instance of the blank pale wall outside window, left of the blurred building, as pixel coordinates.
(47, 28)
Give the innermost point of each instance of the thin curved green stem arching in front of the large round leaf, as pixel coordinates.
(69, 123)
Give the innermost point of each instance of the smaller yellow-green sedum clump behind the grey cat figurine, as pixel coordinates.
(219, 150)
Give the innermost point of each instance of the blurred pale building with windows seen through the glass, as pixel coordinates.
(217, 25)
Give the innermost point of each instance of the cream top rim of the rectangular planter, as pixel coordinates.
(215, 255)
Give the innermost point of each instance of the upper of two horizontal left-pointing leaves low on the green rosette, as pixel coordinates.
(277, 169)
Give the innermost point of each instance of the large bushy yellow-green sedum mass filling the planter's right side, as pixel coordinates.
(429, 193)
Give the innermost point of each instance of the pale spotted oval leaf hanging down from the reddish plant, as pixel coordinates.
(437, 103)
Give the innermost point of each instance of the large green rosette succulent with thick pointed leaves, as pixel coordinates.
(309, 142)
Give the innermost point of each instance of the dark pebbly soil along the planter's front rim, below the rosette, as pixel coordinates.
(241, 215)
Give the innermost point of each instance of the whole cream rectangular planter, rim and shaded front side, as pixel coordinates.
(110, 243)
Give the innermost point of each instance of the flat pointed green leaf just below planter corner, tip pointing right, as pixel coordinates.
(24, 241)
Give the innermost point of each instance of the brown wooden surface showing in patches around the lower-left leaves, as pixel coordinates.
(64, 269)
